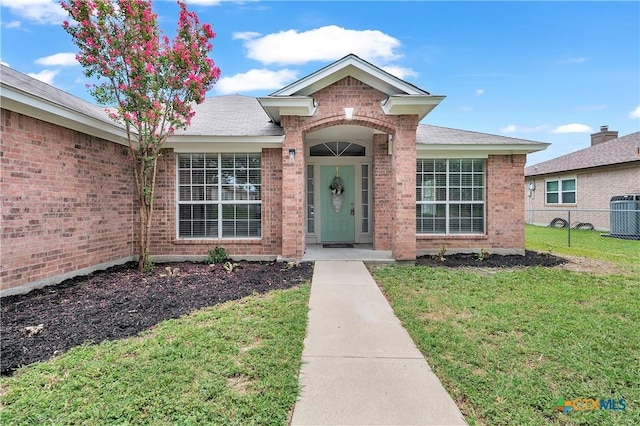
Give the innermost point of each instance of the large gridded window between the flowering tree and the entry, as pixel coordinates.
(219, 195)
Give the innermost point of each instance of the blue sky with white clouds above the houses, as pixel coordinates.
(545, 71)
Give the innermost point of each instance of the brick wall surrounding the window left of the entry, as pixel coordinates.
(164, 241)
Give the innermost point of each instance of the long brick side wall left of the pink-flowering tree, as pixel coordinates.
(67, 201)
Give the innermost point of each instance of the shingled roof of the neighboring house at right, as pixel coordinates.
(625, 149)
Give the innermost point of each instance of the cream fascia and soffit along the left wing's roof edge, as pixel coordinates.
(42, 109)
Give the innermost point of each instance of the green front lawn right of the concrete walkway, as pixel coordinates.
(507, 345)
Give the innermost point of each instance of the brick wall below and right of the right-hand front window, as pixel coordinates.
(504, 204)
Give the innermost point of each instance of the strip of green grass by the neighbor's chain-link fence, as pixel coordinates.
(625, 253)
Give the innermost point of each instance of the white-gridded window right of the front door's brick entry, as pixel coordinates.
(450, 196)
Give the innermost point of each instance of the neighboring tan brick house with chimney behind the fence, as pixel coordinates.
(584, 180)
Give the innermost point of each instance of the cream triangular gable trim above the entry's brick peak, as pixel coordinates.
(350, 65)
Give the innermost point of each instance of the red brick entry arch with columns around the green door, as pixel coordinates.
(395, 210)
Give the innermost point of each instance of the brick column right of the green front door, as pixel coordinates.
(403, 171)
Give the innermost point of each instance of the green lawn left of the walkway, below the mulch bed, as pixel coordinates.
(235, 363)
